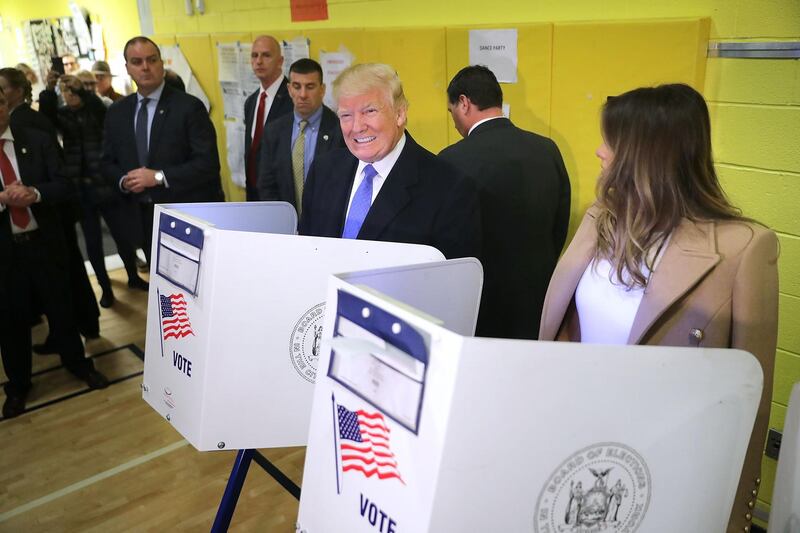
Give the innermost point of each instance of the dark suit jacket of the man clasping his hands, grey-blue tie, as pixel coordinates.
(183, 144)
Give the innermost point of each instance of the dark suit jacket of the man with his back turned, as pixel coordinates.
(525, 197)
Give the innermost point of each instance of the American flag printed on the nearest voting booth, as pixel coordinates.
(364, 444)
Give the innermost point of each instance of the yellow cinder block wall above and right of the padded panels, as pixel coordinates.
(755, 104)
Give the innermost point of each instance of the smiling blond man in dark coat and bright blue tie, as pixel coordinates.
(384, 186)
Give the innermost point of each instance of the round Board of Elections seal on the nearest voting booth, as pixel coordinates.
(603, 488)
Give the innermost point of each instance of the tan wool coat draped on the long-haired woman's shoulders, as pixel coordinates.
(716, 287)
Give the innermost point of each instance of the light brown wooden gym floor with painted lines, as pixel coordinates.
(104, 461)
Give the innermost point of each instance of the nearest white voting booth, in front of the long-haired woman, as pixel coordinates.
(418, 428)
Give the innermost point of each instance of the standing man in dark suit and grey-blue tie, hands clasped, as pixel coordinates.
(159, 144)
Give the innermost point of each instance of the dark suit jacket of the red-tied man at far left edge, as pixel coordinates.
(38, 162)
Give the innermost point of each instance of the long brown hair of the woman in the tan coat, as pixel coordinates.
(661, 171)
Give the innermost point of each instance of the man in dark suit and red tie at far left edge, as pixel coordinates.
(35, 260)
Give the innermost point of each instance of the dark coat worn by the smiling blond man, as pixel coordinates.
(423, 201)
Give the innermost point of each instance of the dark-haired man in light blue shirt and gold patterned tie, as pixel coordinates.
(291, 142)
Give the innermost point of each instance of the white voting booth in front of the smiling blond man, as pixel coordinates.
(235, 318)
